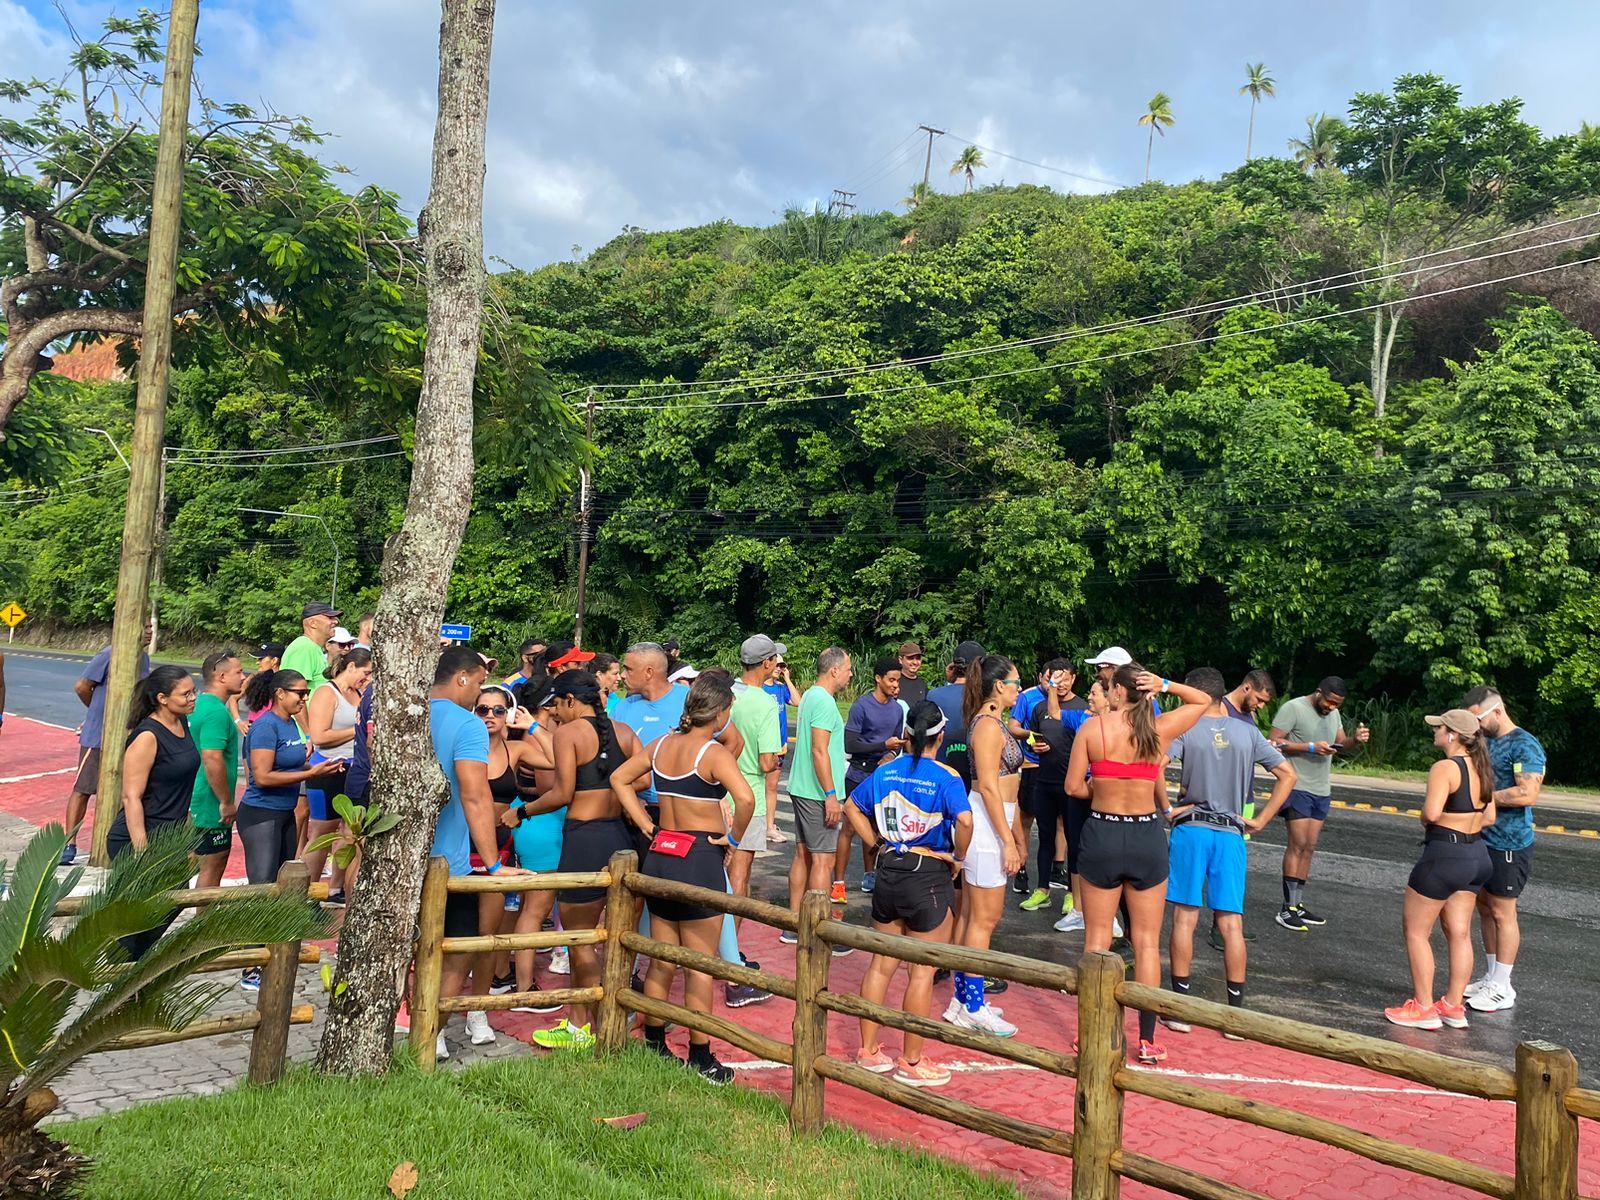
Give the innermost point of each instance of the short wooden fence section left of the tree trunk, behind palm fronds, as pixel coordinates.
(276, 1010)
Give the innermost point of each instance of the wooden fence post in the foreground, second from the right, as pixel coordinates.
(1103, 1052)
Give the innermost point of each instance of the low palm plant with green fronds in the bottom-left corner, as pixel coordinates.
(46, 975)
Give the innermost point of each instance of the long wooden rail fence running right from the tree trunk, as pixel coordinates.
(1543, 1084)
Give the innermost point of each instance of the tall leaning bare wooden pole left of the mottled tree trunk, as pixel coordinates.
(150, 420)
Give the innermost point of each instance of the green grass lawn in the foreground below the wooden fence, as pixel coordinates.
(521, 1127)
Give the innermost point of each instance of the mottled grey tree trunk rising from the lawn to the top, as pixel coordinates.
(377, 942)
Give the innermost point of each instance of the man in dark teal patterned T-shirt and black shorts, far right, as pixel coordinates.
(1519, 775)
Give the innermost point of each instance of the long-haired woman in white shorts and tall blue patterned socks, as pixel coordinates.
(996, 852)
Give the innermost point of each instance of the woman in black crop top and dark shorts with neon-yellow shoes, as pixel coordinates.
(588, 748)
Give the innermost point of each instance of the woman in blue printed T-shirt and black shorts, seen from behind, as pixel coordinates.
(914, 812)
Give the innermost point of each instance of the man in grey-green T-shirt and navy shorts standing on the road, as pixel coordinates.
(1310, 729)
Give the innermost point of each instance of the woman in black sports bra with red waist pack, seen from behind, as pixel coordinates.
(692, 774)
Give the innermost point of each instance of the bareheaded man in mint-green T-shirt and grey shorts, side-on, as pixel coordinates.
(817, 777)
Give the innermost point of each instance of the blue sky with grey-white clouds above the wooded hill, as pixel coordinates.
(631, 113)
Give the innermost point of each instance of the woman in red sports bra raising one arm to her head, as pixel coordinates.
(1118, 764)
